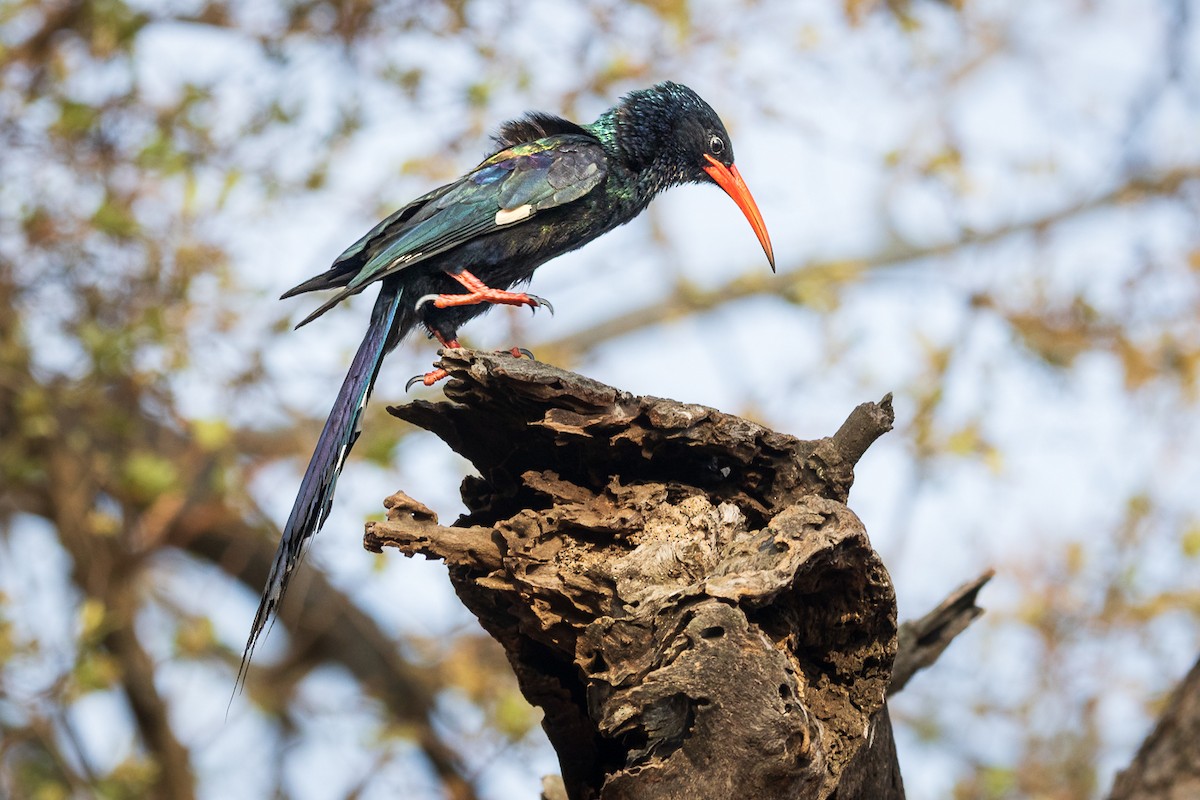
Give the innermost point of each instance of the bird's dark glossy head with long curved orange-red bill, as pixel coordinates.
(671, 135)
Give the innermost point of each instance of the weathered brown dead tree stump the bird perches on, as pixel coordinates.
(683, 592)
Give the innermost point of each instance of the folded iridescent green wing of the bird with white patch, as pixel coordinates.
(508, 189)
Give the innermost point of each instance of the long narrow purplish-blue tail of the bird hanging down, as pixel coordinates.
(341, 431)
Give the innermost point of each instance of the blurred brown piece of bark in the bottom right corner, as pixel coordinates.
(1168, 765)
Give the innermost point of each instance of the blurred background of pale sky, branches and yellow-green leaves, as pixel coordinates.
(991, 209)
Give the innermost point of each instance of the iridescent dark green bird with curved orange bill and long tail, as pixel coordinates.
(550, 187)
